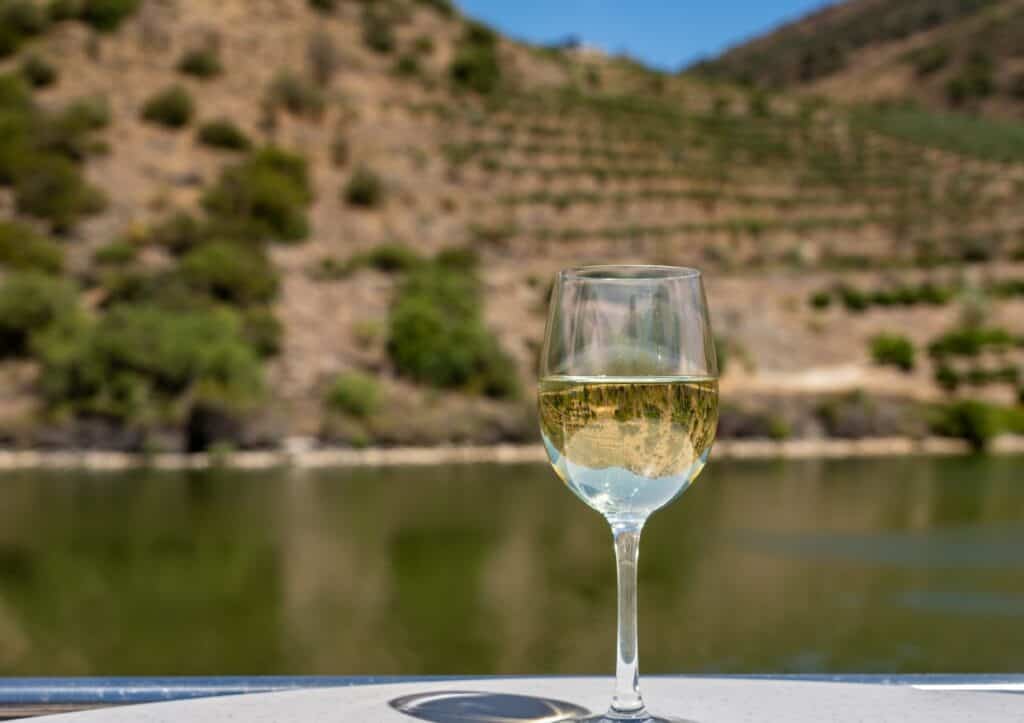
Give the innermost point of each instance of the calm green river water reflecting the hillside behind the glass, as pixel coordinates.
(886, 566)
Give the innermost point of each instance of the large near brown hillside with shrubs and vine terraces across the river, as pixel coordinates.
(235, 224)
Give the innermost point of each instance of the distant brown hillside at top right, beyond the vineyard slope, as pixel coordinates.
(946, 55)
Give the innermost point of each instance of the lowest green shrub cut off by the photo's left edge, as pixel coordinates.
(30, 303)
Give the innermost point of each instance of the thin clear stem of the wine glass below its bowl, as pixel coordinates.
(627, 698)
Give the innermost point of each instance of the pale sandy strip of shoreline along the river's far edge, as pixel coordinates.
(300, 455)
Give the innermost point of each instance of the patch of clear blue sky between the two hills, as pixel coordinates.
(663, 33)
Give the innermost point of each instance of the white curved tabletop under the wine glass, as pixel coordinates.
(701, 700)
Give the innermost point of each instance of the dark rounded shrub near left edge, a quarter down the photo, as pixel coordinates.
(52, 188)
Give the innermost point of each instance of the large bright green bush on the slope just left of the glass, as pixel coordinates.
(438, 336)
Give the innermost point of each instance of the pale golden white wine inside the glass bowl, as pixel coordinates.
(628, 446)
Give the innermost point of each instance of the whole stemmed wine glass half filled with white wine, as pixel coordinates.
(628, 405)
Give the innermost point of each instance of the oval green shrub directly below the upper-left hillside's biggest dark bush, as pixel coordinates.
(231, 273)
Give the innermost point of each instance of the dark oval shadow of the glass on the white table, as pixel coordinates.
(477, 707)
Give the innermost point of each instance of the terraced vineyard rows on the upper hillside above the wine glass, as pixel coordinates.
(784, 188)
